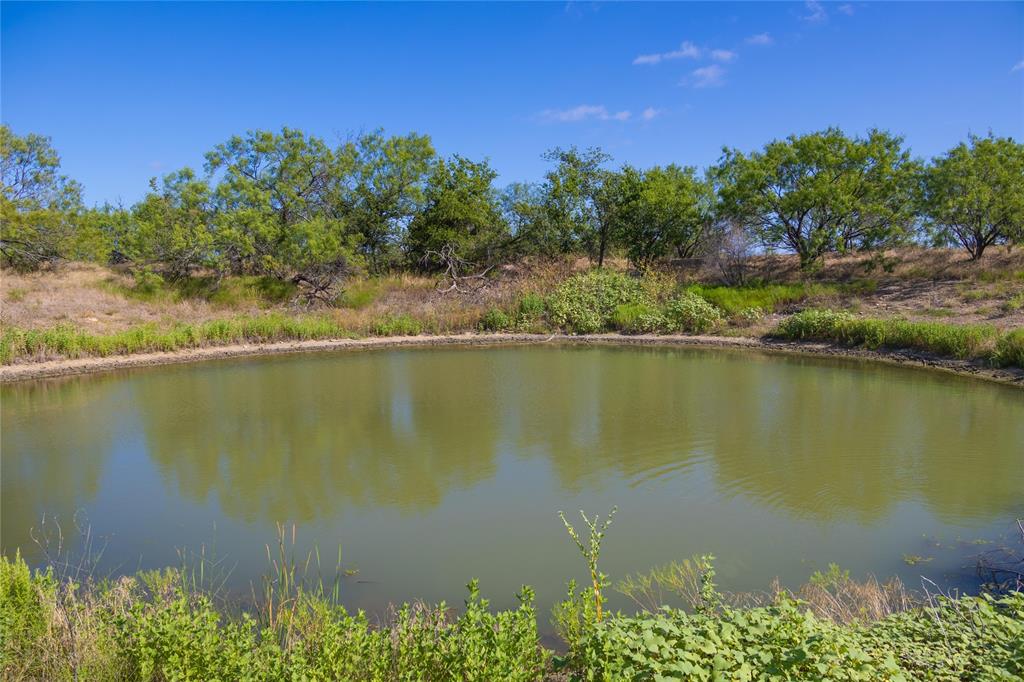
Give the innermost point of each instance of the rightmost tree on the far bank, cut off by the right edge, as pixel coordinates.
(974, 194)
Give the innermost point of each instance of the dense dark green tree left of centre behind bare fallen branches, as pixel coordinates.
(461, 211)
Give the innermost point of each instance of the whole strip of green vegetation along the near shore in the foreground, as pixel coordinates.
(65, 623)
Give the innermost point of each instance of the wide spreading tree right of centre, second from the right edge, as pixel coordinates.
(822, 193)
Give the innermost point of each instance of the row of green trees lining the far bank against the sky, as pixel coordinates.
(291, 206)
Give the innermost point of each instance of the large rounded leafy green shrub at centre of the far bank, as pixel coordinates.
(586, 304)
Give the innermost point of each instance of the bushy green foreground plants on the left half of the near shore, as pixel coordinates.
(159, 630)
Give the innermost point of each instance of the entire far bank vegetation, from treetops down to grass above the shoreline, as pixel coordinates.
(285, 239)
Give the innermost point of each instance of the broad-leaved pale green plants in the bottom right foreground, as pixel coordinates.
(973, 638)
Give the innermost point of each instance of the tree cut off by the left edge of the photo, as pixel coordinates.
(37, 204)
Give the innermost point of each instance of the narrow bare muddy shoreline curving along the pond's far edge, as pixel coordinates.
(64, 368)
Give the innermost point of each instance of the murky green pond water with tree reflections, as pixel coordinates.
(431, 467)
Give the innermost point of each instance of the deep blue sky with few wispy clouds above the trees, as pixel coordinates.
(129, 92)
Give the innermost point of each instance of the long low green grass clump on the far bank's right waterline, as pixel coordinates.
(961, 342)
